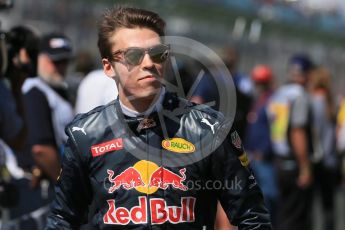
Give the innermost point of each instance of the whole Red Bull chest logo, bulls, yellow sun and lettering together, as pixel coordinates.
(147, 177)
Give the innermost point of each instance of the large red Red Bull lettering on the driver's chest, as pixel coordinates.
(161, 212)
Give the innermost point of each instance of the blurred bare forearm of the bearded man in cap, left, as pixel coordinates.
(47, 159)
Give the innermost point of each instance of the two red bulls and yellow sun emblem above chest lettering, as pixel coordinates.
(146, 177)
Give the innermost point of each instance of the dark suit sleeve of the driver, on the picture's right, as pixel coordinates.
(241, 197)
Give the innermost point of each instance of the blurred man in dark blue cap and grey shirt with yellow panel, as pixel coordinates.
(289, 113)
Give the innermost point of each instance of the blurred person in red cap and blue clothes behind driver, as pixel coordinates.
(258, 140)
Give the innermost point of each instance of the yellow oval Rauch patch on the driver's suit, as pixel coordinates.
(178, 145)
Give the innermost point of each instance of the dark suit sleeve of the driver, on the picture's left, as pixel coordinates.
(72, 192)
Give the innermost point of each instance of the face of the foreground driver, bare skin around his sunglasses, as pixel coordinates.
(135, 81)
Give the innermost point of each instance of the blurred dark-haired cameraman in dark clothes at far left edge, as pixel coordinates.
(21, 49)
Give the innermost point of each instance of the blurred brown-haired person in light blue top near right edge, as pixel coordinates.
(324, 154)
